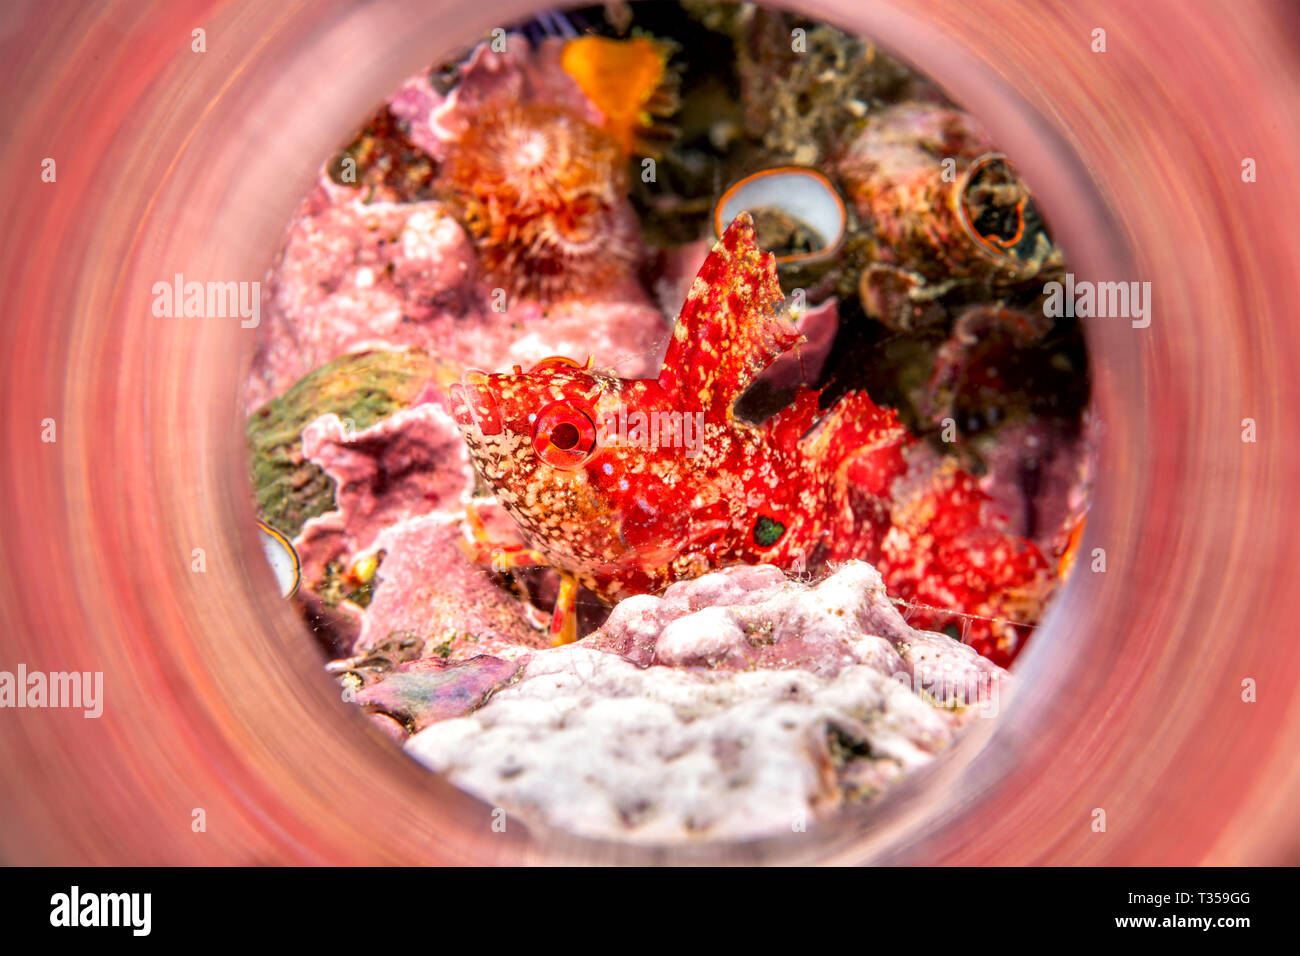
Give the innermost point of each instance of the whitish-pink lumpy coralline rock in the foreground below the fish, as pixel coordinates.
(734, 707)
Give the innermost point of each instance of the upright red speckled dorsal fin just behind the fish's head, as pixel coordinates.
(731, 327)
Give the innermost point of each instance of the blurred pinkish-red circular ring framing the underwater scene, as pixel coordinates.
(1130, 698)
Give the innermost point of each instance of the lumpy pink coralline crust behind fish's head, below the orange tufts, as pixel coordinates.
(353, 276)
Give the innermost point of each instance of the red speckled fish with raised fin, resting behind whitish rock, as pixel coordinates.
(627, 486)
